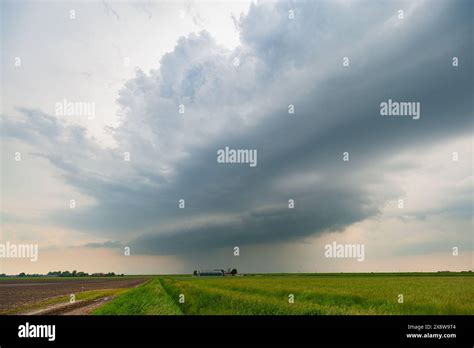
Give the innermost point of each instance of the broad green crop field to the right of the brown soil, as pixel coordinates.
(346, 294)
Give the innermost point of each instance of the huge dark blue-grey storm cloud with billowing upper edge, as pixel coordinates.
(281, 62)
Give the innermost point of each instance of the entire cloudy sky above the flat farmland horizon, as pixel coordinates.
(172, 83)
